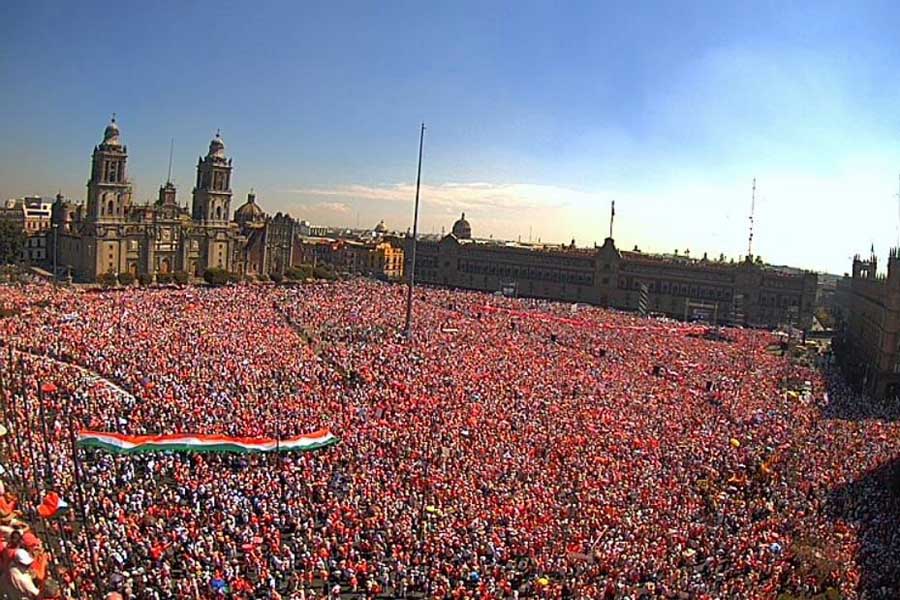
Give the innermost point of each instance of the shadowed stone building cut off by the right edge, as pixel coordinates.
(869, 344)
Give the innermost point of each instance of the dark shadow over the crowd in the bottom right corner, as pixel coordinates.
(872, 503)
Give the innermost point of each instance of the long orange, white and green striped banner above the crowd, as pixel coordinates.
(183, 442)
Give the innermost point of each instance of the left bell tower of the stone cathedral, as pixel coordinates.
(109, 191)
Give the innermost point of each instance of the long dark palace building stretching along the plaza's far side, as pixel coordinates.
(746, 293)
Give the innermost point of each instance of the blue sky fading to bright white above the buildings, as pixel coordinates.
(538, 114)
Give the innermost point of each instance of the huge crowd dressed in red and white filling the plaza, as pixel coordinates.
(508, 448)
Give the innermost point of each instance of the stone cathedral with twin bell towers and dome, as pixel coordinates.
(109, 233)
